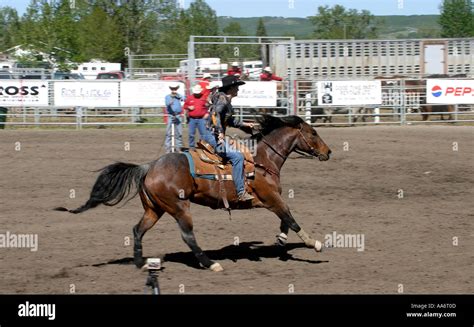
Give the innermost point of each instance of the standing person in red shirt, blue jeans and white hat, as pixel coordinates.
(195, 106)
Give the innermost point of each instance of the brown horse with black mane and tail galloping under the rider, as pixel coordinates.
(166, 185)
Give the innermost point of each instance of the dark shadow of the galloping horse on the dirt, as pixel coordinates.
(252, 251)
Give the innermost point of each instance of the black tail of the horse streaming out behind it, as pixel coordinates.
(113, 184)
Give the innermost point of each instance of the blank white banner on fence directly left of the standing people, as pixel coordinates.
(149, 93)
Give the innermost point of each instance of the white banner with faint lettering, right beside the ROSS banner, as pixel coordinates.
(86, 94)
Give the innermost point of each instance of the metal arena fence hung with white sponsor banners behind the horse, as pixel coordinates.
(105, 103)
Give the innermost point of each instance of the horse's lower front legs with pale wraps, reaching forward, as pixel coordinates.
(288, 222)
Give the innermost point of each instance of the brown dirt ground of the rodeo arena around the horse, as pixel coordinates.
(408, 242)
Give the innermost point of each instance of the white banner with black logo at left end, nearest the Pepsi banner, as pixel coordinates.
(340, 93)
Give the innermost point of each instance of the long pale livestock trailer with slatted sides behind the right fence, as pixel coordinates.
(315, 59)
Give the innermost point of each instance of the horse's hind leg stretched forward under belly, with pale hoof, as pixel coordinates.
(185, 222)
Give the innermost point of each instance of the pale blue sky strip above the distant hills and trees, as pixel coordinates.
(296, 8)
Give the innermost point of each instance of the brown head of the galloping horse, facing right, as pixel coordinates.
(308, 141)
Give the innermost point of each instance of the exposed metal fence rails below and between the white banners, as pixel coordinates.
(402, 103)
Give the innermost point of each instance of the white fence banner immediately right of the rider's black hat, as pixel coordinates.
(256, 94)
